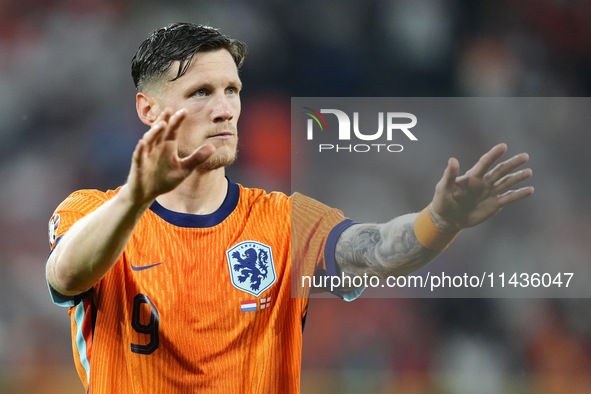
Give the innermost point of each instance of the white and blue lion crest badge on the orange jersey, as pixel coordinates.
(251, 267)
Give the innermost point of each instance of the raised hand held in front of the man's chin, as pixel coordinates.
(156, 167)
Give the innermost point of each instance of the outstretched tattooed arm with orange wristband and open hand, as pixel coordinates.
(409, 242)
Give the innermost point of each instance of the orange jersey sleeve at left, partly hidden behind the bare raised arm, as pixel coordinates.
(72, 209)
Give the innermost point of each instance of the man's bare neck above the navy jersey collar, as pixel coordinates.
(201, 193)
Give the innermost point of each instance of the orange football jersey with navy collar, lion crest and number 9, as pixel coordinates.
(200, 303)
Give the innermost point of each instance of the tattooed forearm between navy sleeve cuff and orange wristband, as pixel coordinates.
(382, 249)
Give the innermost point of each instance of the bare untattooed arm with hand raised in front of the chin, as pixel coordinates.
(88, 250)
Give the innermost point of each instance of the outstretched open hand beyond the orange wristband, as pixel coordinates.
(470, 199)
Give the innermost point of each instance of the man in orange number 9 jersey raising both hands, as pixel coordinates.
(180, 280)
